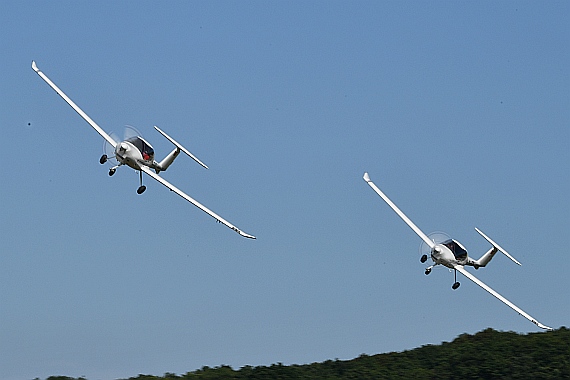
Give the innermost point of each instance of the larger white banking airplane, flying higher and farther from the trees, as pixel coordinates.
(138, 154)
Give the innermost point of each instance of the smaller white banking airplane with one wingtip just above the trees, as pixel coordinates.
(452, 254)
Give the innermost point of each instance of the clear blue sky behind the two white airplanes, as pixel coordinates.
(460, 112)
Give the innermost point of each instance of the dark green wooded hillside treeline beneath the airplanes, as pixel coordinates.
(488, 354)
